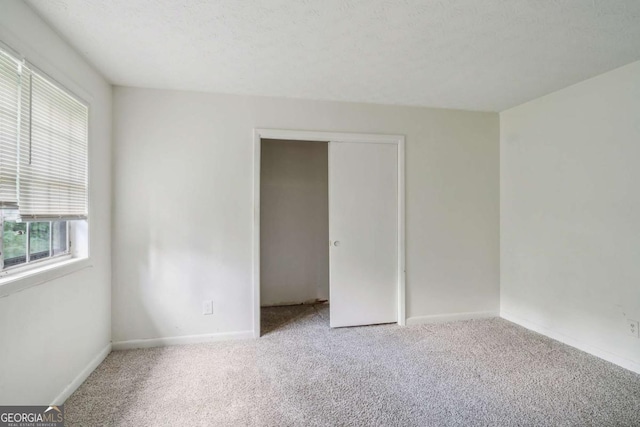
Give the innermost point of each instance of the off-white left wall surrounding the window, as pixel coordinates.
(51, 332)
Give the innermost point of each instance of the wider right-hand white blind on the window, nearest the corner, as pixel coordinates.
(53, 162)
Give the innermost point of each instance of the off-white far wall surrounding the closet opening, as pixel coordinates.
(183, 210)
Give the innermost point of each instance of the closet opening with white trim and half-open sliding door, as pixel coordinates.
(328, 225)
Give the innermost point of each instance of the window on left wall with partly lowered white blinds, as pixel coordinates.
(43, 165)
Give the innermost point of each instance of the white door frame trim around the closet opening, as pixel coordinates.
(321, 136)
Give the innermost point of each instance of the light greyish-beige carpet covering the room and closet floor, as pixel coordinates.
(301, 373)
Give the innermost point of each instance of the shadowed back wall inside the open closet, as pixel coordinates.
(294, 222)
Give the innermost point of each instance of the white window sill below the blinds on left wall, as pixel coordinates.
(33, 277)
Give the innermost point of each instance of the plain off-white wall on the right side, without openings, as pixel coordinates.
(570, 209)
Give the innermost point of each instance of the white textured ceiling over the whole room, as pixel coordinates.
(465, 54)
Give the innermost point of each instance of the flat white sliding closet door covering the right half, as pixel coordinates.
(363, 228)
